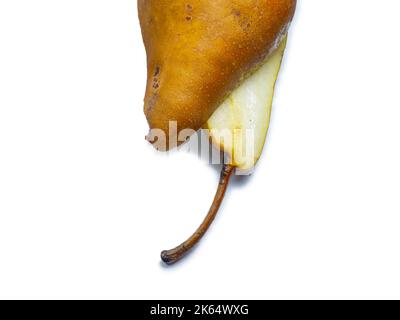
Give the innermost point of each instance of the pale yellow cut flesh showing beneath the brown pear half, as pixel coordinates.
(239, 126)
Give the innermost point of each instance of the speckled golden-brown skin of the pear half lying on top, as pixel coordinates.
(198, 51)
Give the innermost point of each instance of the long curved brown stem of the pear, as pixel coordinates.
(174, 255)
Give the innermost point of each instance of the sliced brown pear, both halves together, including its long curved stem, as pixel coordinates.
(213, 64)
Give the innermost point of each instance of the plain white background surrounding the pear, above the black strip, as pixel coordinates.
(86, 205)
